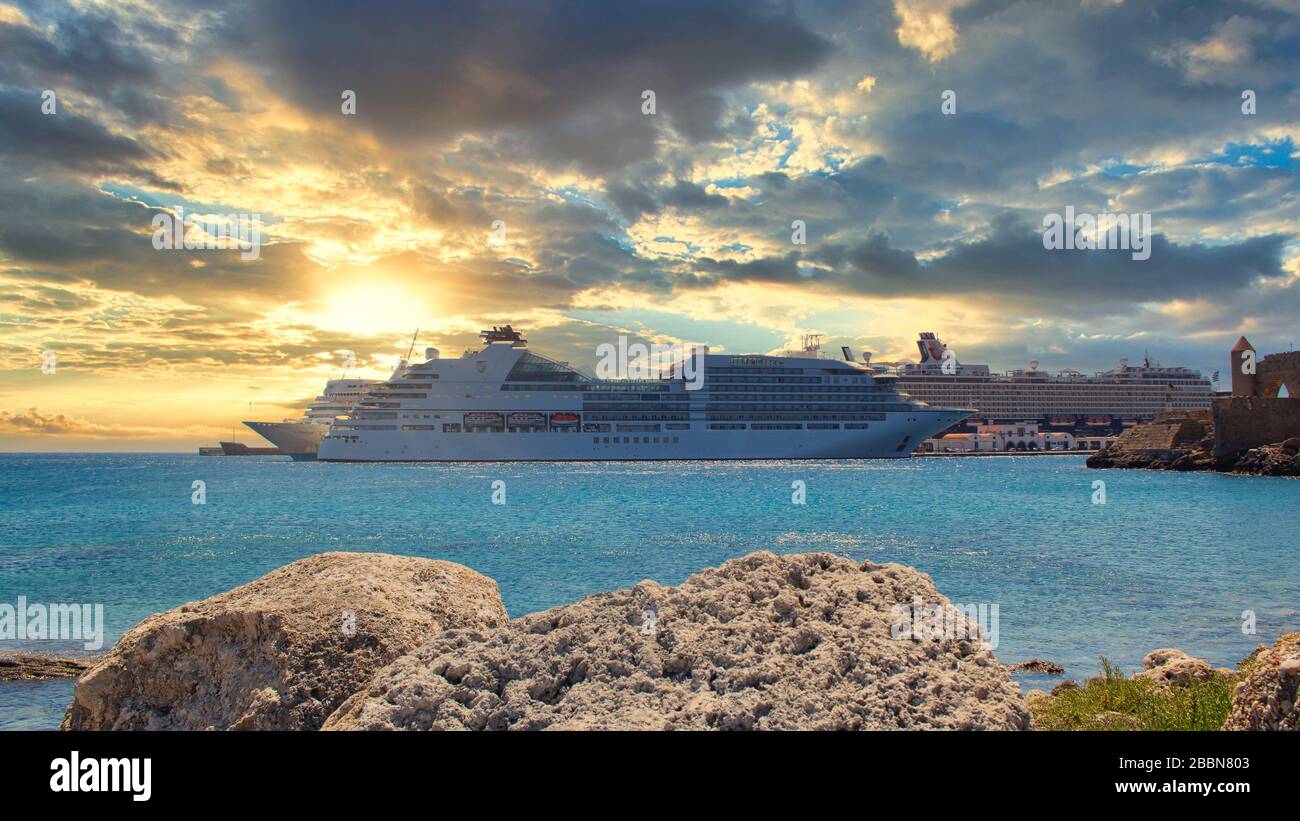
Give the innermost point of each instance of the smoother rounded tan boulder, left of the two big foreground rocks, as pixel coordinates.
(284, 651)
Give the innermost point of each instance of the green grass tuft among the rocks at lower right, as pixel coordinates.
(1113, 702)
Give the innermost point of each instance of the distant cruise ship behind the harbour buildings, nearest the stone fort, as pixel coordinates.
(1128, 394)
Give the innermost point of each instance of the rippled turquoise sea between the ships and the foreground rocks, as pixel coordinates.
(1169, 561)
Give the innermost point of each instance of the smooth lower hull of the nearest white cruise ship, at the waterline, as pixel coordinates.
(894, 438)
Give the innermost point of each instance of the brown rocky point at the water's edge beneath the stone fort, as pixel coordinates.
(1186, 442)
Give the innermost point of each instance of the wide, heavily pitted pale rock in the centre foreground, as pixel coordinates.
(762, 642)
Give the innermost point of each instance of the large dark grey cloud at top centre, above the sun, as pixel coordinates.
(564, 77)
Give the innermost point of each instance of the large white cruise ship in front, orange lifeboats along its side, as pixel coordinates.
(506, 403)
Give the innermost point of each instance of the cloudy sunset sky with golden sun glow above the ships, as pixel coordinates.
(502, 164)
